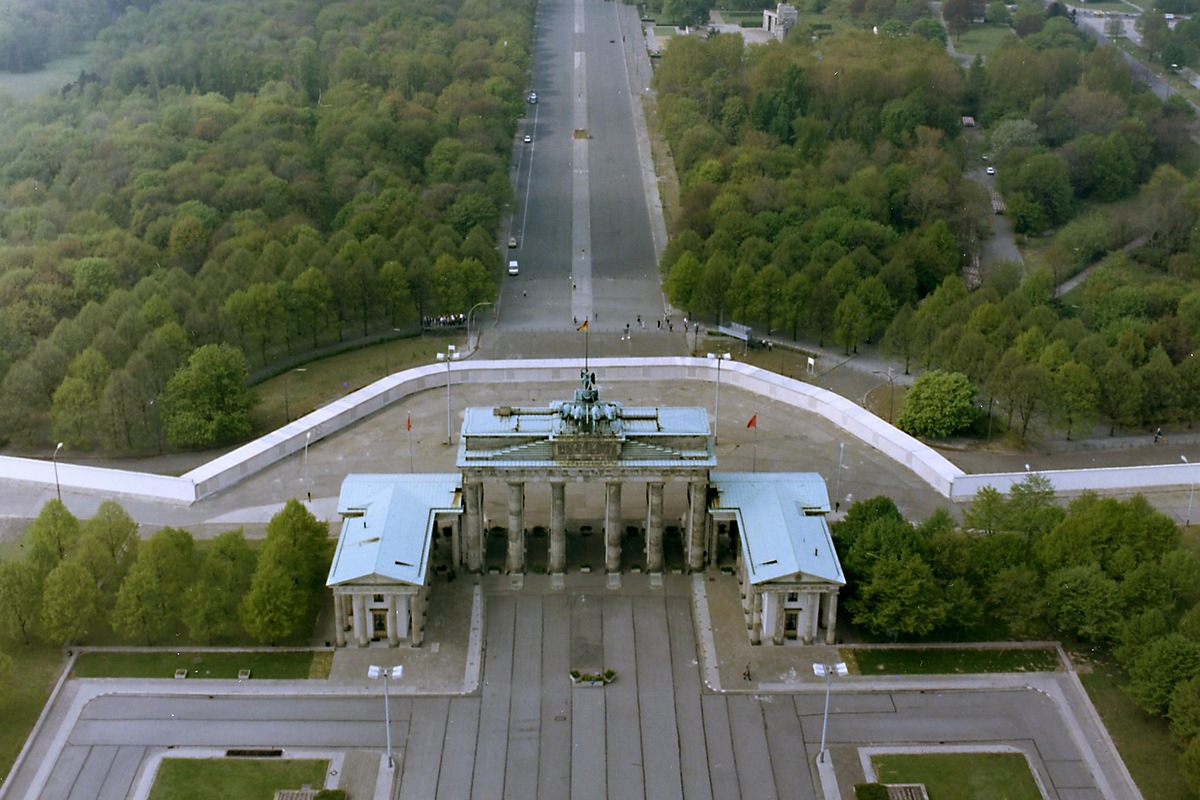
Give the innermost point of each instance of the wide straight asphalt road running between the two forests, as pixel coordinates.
(584, 226)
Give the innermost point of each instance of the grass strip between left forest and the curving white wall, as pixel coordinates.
(295, 394)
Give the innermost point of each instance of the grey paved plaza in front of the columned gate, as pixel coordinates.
(681, 720)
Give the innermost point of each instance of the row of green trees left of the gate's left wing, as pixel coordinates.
(77, 581)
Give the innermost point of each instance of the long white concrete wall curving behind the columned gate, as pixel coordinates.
(227, 471)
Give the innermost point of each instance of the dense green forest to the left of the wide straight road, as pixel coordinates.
(266, 178)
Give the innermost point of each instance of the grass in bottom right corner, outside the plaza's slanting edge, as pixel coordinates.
(1142, 739)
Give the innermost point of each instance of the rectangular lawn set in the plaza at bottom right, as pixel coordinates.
(962, 777)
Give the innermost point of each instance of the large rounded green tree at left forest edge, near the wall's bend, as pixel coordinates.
(208, 402)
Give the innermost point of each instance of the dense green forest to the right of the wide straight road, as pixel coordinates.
(827, 193)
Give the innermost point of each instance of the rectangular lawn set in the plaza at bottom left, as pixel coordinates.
(219, 779)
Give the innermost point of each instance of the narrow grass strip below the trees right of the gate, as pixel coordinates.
(940, 661)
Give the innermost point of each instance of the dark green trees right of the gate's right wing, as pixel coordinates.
(1103, 573)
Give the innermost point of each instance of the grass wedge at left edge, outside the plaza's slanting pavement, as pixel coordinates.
(22, 699)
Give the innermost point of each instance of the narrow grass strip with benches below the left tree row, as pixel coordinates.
(279, 666)
